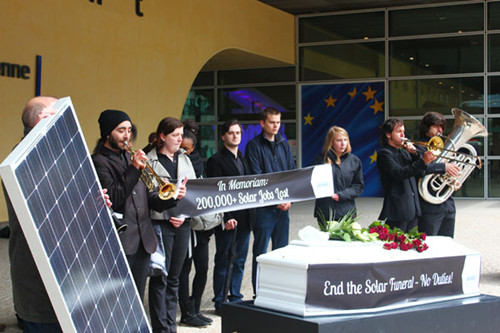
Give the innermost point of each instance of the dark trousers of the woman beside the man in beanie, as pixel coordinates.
(163, 291)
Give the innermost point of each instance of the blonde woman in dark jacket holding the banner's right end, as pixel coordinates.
(347, 177)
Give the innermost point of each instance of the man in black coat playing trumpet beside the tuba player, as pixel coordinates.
(399, 163)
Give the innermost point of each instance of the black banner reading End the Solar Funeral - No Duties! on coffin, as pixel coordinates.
(371, 285)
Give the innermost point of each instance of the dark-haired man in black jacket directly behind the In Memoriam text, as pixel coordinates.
(230, 162)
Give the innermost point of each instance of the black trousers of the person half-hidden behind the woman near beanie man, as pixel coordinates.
(200, 259)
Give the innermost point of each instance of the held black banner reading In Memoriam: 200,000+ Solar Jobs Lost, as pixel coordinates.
(212, 195)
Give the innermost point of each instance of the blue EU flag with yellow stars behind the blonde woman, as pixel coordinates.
(356, 107)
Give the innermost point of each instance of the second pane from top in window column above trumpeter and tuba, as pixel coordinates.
(451, 55)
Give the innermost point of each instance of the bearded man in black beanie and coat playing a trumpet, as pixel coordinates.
(119, 172)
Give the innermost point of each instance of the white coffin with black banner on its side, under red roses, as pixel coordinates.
(337, 277)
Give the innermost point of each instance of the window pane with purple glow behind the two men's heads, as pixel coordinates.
(247, 103)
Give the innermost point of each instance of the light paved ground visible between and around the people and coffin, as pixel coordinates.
(477, 227)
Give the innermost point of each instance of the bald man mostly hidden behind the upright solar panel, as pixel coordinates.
(31, 301)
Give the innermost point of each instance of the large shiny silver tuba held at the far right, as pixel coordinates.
(437, 188)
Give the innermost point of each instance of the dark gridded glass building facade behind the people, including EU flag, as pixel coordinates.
(401, 61)
